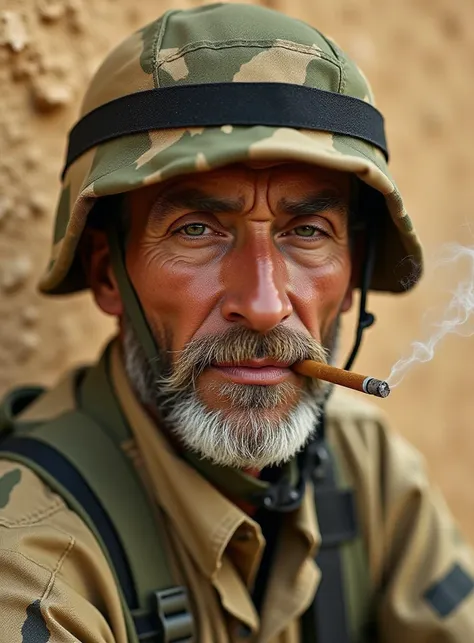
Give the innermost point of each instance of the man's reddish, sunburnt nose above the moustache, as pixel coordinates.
(256, 286)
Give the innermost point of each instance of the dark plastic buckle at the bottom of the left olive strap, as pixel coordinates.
(174, 614)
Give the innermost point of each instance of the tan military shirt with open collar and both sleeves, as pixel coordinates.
(56, 586)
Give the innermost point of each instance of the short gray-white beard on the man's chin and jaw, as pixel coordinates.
(250, 435)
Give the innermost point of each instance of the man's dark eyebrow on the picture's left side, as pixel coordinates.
(194, 199)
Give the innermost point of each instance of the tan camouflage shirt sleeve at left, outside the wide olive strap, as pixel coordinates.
(55, 584)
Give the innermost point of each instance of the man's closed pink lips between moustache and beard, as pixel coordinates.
(261, 372)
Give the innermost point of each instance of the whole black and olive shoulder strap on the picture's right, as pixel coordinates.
(331, 618)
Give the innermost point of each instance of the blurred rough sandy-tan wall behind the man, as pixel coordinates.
(419, 57)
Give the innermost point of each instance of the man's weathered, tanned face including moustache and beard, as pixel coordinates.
(241, 271)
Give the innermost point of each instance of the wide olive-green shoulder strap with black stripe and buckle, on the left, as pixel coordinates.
(69, 453)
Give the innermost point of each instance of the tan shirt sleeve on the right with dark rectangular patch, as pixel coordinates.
(427, 574)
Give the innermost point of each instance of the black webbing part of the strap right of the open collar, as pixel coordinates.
(327, 619)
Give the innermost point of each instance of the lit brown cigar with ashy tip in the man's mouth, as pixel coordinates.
(321, 371)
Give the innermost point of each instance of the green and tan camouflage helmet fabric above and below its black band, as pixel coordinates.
(224, 43)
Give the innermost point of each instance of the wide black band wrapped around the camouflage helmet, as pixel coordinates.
(217, 104)
